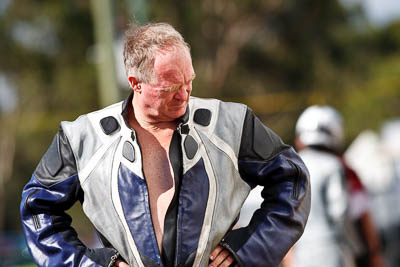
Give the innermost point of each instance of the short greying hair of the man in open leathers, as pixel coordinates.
(141, 43)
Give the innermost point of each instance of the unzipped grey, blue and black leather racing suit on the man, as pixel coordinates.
(219, 152)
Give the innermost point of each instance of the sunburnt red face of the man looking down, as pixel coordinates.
(168, 98)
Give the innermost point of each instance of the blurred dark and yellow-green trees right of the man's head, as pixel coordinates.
(279, 57)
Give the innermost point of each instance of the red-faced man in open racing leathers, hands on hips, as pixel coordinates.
(162, 175)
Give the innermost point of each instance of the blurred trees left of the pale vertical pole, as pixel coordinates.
(46, 50)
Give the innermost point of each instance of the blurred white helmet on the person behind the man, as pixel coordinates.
(320, 126)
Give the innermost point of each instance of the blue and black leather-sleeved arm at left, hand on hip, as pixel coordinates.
(53, 189)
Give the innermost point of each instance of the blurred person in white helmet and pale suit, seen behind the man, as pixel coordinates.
(340, 232)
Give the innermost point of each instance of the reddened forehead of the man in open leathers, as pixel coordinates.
(174, 65)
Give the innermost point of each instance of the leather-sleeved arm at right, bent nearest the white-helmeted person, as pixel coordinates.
(264, 160)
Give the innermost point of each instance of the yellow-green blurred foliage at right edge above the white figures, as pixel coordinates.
(372, 95)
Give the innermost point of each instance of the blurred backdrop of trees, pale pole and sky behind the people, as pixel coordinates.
(59, 59)
